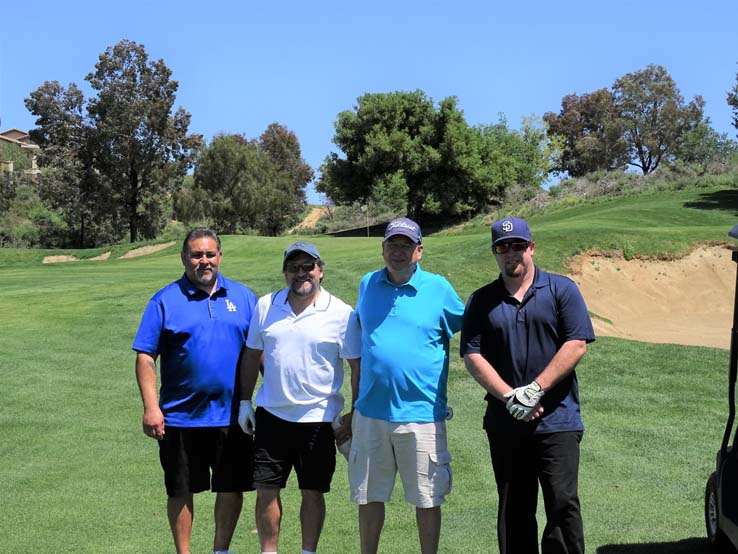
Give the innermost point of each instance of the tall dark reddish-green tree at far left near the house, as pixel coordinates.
(111, 161)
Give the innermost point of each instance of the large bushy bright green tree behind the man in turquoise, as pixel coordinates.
(400, 151)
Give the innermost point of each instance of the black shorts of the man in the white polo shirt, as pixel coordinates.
(280, 445)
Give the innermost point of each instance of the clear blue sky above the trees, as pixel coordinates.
(243, 65)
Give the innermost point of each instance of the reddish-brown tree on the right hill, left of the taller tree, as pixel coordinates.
(592, 133)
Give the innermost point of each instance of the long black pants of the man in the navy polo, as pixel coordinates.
(520, 463)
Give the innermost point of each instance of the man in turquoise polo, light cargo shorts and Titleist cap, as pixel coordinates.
(407, 318)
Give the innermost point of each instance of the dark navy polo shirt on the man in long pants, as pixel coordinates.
(519, 339)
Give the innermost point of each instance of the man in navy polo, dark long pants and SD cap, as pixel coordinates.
(522, 337)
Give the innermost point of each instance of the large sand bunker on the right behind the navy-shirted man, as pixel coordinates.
(686, 301)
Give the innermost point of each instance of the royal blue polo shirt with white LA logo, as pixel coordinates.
(198, 339)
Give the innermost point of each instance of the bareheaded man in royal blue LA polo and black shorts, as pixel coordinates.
(197, 327)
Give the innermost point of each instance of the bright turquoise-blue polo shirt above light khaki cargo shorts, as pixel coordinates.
(405, 332)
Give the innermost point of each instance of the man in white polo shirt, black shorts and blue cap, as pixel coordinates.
(303, 333)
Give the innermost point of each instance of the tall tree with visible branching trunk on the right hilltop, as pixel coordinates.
(654, 115)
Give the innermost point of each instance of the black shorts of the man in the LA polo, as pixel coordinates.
(189, 454)
